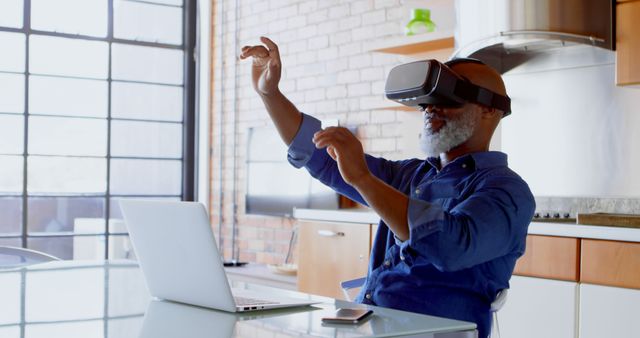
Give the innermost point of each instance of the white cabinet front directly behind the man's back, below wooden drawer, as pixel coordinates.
(538, 307)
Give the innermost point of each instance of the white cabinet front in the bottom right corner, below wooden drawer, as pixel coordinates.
(608, 311)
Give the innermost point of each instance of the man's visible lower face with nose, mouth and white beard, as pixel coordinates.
(446, 128)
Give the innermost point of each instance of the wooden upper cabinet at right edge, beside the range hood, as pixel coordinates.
(627, 43)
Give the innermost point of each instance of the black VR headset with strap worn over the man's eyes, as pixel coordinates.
(430, 82)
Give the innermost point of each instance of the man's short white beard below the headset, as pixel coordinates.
(452, 134)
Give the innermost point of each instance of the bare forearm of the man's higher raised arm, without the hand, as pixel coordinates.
(284, 115)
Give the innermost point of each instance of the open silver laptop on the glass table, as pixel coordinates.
(179, 258)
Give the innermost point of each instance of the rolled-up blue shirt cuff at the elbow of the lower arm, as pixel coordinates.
(424, 219)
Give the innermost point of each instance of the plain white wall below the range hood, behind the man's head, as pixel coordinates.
(572, 131)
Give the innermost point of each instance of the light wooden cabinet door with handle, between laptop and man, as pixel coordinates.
(330, 253)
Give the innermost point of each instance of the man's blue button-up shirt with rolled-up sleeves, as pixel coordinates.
(468, 224)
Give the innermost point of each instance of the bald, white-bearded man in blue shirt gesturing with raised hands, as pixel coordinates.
(452, 225)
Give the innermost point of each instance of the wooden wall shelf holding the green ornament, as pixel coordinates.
(414, 45)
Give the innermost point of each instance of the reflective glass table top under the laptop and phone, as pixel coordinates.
(110, 300)
